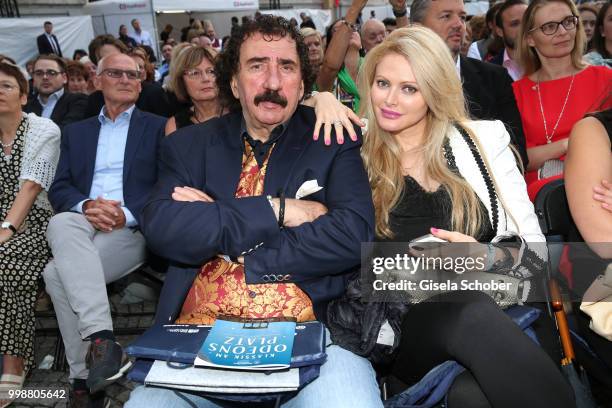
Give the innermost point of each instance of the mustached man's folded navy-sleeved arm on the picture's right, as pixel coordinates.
(332, 243)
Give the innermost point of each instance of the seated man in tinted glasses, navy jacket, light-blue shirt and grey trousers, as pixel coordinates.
(106, 170)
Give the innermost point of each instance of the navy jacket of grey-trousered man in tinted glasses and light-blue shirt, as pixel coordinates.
(78, 149)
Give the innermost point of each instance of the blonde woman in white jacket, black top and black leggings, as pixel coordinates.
(432, 170)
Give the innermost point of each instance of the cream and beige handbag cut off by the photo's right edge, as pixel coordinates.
(598, 304)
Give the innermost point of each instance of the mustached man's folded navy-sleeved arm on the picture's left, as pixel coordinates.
(193, 232)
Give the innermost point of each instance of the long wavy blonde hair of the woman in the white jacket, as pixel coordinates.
(437, 80)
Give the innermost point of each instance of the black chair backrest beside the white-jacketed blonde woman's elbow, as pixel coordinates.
(553, 212)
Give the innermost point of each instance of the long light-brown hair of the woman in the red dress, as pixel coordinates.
(527, 56)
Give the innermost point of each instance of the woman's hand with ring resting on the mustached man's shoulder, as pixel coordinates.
(330, 112)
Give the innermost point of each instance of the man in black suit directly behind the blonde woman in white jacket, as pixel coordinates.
(487, 87)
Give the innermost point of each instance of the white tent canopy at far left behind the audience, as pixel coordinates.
(19, 35)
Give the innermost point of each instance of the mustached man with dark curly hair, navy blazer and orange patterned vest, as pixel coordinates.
(227, 205)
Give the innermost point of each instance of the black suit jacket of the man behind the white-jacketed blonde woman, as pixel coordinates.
(488, 90)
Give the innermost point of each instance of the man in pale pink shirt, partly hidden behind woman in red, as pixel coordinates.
(507, 24)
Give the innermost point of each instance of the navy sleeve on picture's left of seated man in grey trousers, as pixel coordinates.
(63, 195)
